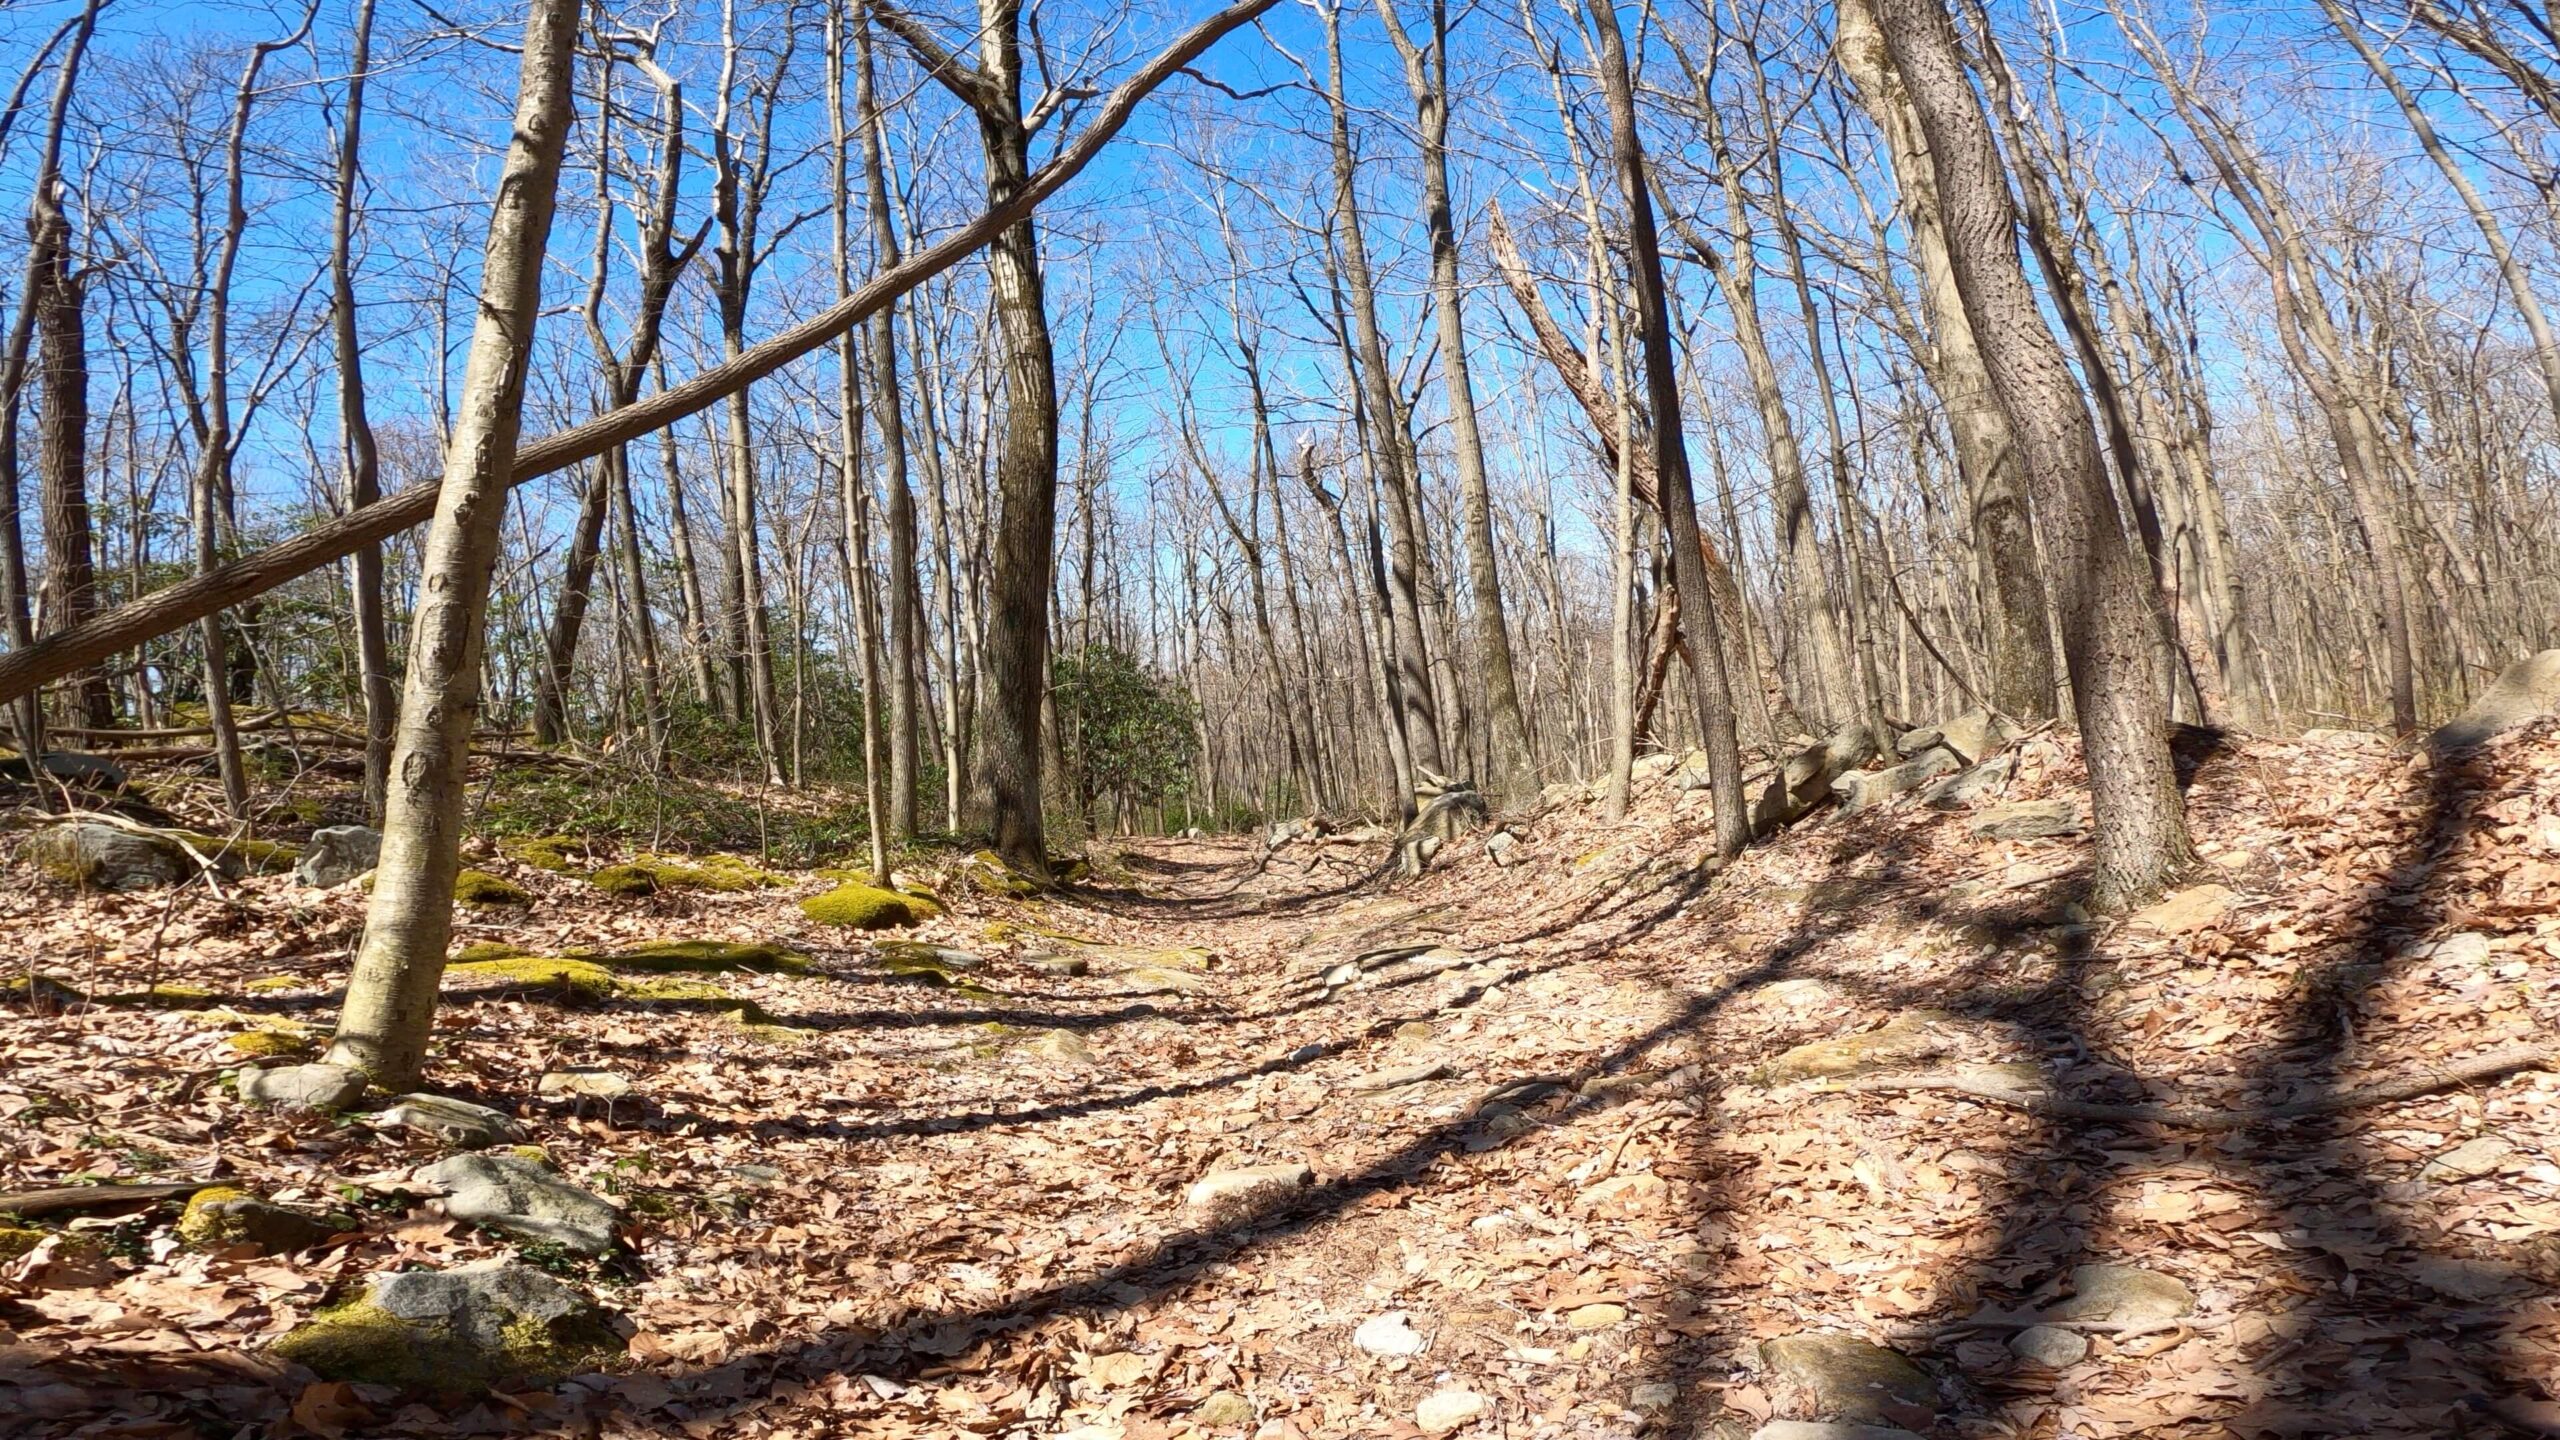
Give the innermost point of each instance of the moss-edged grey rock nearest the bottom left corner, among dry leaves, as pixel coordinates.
(457, 1331)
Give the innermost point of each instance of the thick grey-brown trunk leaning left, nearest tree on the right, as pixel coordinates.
(2098, 585)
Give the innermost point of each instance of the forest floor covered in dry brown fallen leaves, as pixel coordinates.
(1555, 1185)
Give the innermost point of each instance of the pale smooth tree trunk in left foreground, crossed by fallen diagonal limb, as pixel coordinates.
(390, 998)
